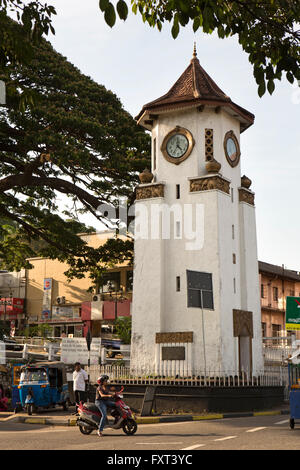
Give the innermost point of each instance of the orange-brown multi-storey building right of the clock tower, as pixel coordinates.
(276, 283)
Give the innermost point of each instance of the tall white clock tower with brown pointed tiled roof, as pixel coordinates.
(196, 303)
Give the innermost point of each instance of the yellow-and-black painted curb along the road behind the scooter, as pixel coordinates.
(150, 419)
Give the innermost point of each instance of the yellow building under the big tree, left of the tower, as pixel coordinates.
(68, 306)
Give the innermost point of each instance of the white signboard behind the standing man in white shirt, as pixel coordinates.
(75, 350)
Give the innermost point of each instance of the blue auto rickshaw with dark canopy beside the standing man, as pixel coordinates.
(43, 385)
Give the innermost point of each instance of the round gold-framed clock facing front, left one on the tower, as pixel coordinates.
(177, 145)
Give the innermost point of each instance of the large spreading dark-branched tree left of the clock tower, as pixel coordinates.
(76, 141)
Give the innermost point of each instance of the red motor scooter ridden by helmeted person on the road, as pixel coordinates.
(90, 416)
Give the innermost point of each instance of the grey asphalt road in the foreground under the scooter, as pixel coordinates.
(250, 433)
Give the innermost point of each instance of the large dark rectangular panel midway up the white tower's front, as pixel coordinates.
(200, 290)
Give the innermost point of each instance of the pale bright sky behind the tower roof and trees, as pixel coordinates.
(139, 64)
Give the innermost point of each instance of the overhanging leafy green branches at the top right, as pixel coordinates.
(266, 29)
